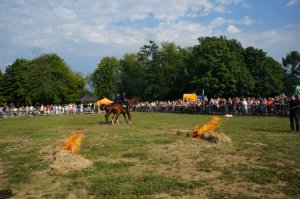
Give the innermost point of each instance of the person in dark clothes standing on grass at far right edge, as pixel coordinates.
(294, 115)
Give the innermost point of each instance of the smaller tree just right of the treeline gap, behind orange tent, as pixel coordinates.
(106, 78)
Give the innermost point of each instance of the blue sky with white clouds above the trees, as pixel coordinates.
(83, 32)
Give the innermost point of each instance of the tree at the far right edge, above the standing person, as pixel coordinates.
(292, 73)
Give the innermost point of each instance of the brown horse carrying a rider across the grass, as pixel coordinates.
(117, 109)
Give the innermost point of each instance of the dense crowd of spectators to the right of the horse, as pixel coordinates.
(221, 106)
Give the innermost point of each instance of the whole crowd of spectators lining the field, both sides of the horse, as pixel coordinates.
(278, 106)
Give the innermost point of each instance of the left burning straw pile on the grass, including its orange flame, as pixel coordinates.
(64, 157)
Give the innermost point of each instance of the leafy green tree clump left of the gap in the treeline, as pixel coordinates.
(46, 79)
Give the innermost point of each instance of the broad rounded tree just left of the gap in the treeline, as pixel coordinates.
(53, 81)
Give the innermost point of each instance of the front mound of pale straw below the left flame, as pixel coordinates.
(66, 162)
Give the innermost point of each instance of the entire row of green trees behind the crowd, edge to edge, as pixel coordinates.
(216, 65)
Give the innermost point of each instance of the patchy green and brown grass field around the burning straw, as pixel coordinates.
(142, 160)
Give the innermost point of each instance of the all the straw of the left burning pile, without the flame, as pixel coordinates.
(63, 161)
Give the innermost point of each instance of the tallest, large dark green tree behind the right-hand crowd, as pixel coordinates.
(215, 68)
